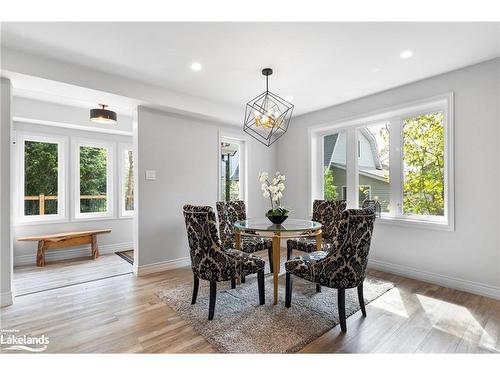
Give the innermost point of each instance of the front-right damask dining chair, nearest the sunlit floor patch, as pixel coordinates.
(341, 268)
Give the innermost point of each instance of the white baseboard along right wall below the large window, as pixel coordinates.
(434, 278)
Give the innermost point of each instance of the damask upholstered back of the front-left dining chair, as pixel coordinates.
(208, 260)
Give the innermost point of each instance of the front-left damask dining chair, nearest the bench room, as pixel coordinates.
(210, 262)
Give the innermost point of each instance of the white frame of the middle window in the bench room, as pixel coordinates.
(76, 144)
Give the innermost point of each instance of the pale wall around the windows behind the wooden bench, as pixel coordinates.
(121, 237)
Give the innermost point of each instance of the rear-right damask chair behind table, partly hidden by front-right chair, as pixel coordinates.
(328, 214)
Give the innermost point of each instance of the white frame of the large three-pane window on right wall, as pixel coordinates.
(394, 115)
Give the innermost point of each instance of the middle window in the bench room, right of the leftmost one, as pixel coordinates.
(93, 179)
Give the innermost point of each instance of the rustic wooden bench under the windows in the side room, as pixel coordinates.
(60, 240)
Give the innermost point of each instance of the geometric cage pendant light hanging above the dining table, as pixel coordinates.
(267, 116)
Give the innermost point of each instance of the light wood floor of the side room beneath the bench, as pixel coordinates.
(30, 279)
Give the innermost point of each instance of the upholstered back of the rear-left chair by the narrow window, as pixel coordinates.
(229, 213)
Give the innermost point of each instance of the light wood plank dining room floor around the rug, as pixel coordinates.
(123, 315)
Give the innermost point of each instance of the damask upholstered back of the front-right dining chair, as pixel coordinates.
(346, 268)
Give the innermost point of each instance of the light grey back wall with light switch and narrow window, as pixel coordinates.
(184, 153)
